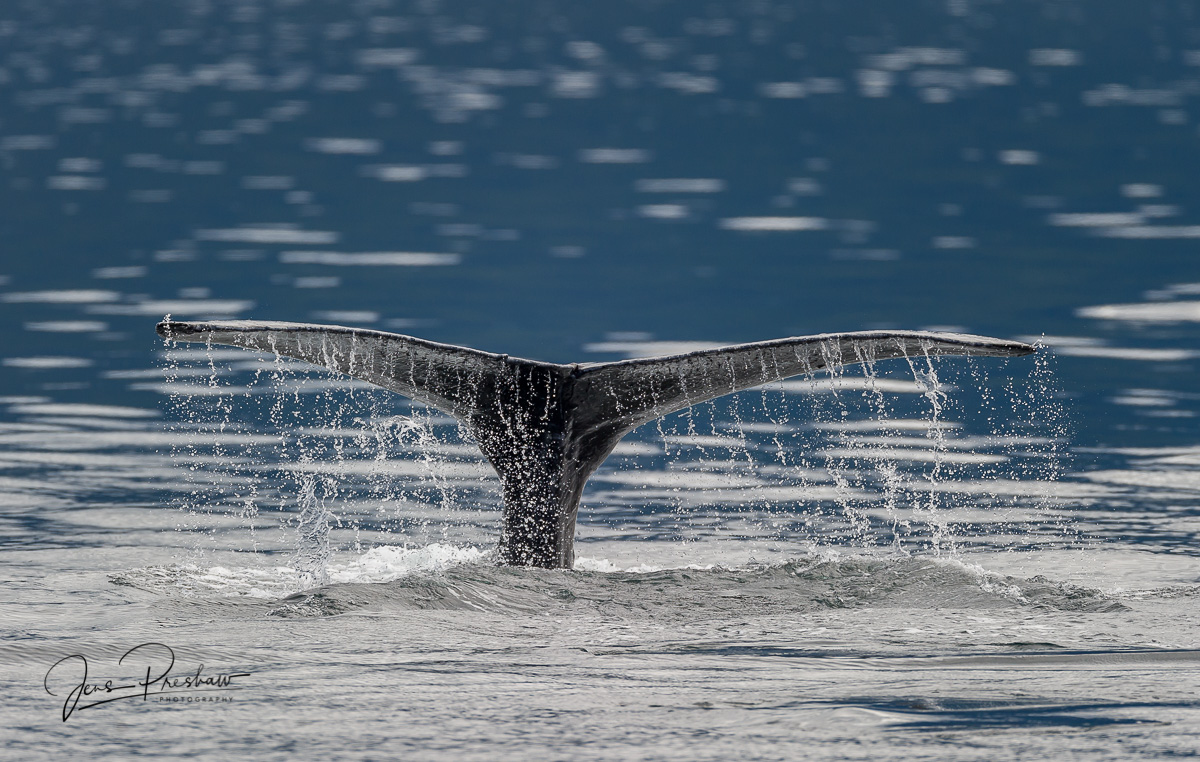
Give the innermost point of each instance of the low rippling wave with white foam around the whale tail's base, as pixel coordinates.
(451, 578)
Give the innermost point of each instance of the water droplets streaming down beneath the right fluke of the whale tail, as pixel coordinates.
(915, 457)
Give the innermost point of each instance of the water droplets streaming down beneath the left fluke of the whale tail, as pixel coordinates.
(331, 467)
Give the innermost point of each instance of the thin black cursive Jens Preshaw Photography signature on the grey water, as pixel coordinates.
(159, 661)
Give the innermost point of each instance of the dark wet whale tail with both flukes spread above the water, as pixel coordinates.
(547, 428)
